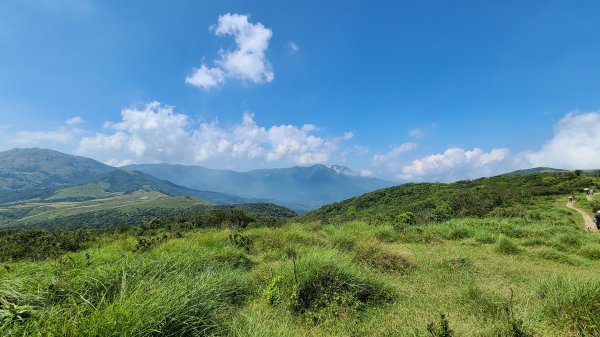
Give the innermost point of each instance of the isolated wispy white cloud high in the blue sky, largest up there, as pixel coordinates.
(246, 62)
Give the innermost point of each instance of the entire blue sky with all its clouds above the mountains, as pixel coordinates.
(428, 90)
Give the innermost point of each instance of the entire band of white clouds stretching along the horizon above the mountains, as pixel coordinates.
(157, 133)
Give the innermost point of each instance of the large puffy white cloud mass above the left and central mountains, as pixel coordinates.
(157, 133)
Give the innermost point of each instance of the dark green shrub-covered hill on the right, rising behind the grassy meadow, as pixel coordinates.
(505, 196)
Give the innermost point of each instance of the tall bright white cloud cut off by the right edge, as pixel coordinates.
(574, 145)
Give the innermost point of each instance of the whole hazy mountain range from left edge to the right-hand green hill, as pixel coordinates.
(42, 174)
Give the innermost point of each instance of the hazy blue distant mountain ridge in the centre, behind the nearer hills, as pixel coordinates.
(297, 187)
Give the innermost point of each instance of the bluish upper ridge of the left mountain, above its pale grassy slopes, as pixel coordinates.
(41, 174)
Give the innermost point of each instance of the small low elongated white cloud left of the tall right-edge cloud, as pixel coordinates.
(456, 163)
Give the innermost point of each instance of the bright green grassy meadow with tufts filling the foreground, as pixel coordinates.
(535, 276)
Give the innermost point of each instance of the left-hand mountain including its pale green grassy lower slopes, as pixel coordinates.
(44, 188)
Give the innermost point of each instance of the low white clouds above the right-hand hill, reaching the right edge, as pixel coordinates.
(575, 144)
